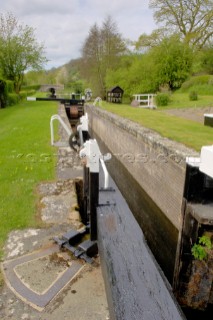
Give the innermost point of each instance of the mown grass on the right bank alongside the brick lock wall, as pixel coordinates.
(189, 133)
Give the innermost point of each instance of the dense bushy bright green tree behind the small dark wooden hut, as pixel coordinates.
(167, 64)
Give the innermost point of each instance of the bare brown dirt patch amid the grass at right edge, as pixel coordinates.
(194, 114)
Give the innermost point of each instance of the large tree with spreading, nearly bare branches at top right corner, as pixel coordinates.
(192, 18)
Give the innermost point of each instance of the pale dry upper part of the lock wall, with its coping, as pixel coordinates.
(156, 163)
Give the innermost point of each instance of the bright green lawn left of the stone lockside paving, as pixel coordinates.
(26, 158)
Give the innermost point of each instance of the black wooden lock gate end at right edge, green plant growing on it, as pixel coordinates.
(194, 265)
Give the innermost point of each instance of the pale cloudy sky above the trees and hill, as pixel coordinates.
(63, 25)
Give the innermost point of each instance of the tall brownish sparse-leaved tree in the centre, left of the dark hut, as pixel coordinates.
(101, 51)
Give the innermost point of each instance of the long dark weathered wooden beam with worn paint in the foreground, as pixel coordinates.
(135, 285)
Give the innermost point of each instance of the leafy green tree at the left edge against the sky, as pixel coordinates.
(19, 50)
